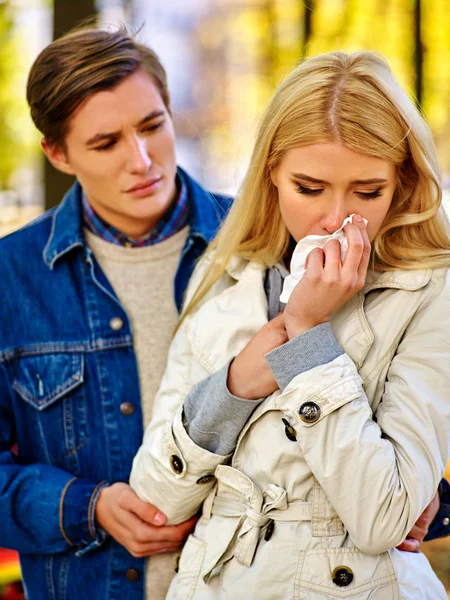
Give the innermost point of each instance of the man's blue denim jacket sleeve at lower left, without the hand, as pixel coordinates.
(43, 509)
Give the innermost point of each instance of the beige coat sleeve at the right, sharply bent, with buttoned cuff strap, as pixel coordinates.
(379, 471)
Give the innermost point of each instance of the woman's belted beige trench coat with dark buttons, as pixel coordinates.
(318, 517)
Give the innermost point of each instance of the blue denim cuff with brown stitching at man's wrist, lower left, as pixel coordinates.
(77, 510)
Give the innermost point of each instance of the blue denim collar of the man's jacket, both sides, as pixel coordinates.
(67, 226)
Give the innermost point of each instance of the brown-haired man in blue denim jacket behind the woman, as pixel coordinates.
(91, 291)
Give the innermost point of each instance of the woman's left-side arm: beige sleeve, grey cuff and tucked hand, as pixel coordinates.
(194, 429)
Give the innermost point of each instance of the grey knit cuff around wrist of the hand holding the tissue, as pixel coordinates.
(314, 347)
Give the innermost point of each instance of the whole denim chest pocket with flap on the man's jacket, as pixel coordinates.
(56, 421)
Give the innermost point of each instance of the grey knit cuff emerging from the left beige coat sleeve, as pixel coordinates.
(214, 417)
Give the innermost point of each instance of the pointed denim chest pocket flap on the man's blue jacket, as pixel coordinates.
(42, 380)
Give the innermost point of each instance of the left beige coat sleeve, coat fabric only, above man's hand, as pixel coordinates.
(170, 471)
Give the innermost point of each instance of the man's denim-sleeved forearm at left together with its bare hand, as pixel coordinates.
(46, 510)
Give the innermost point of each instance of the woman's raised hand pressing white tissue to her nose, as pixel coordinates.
(328, 283)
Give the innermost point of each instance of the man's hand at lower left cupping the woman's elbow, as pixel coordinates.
(137, 525)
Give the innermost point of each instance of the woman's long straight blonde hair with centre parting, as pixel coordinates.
(355, 100)
